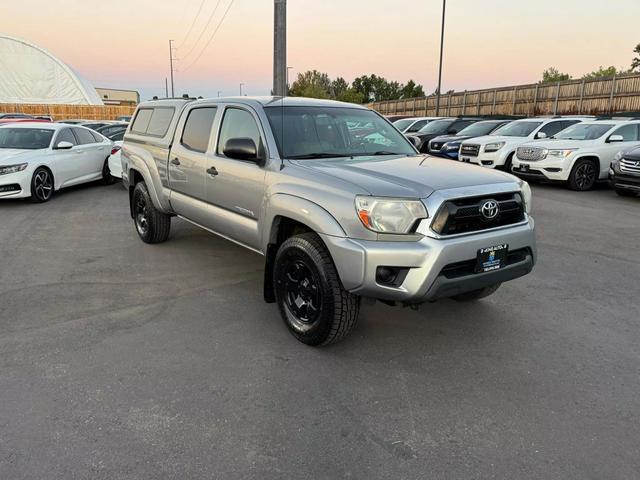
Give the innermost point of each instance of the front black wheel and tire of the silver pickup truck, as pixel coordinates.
(314, 305)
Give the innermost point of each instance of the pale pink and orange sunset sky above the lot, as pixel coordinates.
(488, 43)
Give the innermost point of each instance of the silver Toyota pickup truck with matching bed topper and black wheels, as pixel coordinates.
(339, 203)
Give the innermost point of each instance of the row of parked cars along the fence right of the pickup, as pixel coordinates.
(579, 151)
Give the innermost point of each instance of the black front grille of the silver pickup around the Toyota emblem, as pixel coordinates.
(465, 215)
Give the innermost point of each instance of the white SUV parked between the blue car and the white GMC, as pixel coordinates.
(498, 149)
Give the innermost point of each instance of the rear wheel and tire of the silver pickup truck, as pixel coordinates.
(152, 225)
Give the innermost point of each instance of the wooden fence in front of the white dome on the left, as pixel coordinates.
(61, 112)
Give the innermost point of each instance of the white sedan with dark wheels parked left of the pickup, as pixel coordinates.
(37, 159)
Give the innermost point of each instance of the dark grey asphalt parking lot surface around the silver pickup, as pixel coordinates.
(122, 360)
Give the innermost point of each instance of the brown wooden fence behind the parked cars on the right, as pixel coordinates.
(586, 97)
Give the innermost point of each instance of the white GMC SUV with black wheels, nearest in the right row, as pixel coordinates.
(580, 155)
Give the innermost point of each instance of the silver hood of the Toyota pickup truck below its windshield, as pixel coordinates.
(415, 176)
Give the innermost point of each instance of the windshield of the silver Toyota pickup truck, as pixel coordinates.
(326, 132)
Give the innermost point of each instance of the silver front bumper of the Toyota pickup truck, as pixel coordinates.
(437, 267)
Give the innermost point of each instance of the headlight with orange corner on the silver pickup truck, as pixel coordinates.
(389, 215)
